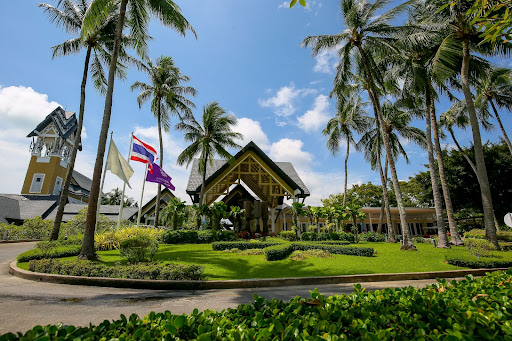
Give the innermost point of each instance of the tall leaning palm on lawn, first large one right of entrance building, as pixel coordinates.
(367, 34)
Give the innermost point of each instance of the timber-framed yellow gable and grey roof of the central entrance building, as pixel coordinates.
(267, 179)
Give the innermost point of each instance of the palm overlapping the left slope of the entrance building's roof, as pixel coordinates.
(209, 138)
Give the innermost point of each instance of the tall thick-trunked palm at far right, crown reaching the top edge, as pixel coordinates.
(461, 36)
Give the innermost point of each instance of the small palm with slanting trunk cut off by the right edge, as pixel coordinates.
(496, 89)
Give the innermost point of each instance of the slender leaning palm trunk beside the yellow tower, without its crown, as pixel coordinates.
(69, 175)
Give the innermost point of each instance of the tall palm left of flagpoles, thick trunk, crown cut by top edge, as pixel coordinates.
(137, 19)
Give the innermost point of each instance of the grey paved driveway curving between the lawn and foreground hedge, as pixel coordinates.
(24, 303)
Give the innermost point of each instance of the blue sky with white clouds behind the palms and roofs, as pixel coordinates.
(247, 57)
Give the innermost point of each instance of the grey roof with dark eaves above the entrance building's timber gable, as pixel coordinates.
(284, 170)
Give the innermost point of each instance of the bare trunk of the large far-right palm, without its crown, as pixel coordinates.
(479, 152)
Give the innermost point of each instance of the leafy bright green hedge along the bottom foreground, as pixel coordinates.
(471, 309)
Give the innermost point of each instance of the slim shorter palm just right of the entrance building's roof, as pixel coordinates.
(350, 118)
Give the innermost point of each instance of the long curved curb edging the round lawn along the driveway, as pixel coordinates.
(240, 283)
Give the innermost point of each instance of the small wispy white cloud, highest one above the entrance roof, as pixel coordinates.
(283, 102)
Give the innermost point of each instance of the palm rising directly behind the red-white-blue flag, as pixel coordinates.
(168, 96)
